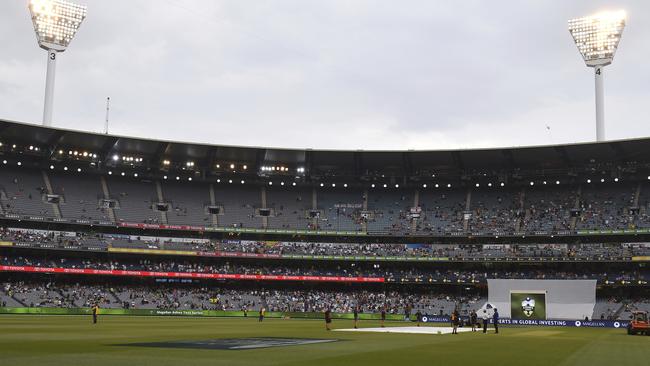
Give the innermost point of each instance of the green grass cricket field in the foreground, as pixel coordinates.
(74, 341)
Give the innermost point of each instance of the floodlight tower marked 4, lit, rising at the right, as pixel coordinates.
(597, 38)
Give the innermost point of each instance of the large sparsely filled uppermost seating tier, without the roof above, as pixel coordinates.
(71, 196)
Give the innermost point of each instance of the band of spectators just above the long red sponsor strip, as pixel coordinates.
(384, 270)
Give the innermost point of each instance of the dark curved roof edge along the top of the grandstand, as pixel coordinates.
(408, 163)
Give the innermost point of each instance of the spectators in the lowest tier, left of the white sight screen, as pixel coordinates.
(71, 295)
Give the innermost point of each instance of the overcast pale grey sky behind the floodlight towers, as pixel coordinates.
(339, 74)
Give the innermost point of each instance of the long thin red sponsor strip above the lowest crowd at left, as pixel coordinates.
(196, 275)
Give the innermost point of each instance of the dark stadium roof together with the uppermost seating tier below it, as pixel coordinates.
(53, 175)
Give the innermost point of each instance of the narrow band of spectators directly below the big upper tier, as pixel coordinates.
(72, 240)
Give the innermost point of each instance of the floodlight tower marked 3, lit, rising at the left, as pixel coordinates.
(55, 23)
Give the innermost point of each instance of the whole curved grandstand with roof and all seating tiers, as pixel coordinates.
(129, 221)
